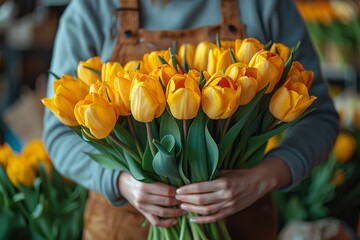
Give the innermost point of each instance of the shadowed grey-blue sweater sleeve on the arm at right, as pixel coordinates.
(310, 140)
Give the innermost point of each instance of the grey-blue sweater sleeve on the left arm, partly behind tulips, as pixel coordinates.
(78, 38)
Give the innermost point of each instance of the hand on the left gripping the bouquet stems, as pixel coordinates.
(153, 200)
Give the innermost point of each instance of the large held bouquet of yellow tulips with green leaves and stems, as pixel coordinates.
(179, 116)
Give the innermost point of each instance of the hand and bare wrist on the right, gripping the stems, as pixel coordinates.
(233, 191)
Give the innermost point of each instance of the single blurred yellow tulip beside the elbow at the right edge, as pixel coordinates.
(345, 146)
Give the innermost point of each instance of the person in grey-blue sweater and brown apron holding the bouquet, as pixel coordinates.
(125, 30)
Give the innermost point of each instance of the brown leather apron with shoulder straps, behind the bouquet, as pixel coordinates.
(104, 221)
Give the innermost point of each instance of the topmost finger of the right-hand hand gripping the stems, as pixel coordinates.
(202, 187)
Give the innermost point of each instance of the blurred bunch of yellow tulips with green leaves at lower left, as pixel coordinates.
(35, 201)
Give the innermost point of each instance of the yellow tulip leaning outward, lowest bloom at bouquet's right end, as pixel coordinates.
(290, 101)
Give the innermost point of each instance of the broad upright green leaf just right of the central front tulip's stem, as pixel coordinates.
(196, 149)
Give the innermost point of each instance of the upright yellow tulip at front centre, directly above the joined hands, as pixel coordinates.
(183, 96)
